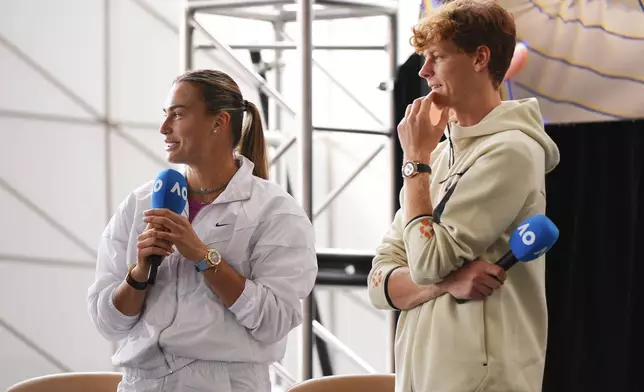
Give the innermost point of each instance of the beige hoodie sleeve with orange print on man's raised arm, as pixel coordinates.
(478, 210)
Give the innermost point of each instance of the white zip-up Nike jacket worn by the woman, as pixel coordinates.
(260, 231)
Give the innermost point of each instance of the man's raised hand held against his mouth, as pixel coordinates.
(418, 136)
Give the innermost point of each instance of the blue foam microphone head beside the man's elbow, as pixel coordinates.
(534, 237)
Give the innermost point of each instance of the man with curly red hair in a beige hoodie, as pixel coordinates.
(461, 200)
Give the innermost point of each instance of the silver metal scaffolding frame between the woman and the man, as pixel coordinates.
(305, 12)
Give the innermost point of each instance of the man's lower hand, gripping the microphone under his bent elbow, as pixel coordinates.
(476, 280)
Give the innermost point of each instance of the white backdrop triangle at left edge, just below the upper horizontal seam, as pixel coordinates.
(59, 167)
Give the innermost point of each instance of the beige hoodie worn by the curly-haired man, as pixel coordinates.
(481, 189)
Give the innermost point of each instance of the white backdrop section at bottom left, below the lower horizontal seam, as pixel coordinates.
(66, 332)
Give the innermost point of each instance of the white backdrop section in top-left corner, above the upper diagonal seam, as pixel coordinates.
(66, 40)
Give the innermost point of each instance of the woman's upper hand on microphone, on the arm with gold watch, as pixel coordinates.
(179, 232)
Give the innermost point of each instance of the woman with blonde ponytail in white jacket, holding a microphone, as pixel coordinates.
(236, 264)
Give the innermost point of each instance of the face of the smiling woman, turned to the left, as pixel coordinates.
(192, 134)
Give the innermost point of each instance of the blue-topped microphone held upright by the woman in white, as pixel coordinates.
(170, 192)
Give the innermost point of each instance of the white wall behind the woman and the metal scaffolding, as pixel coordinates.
(66, 67)
